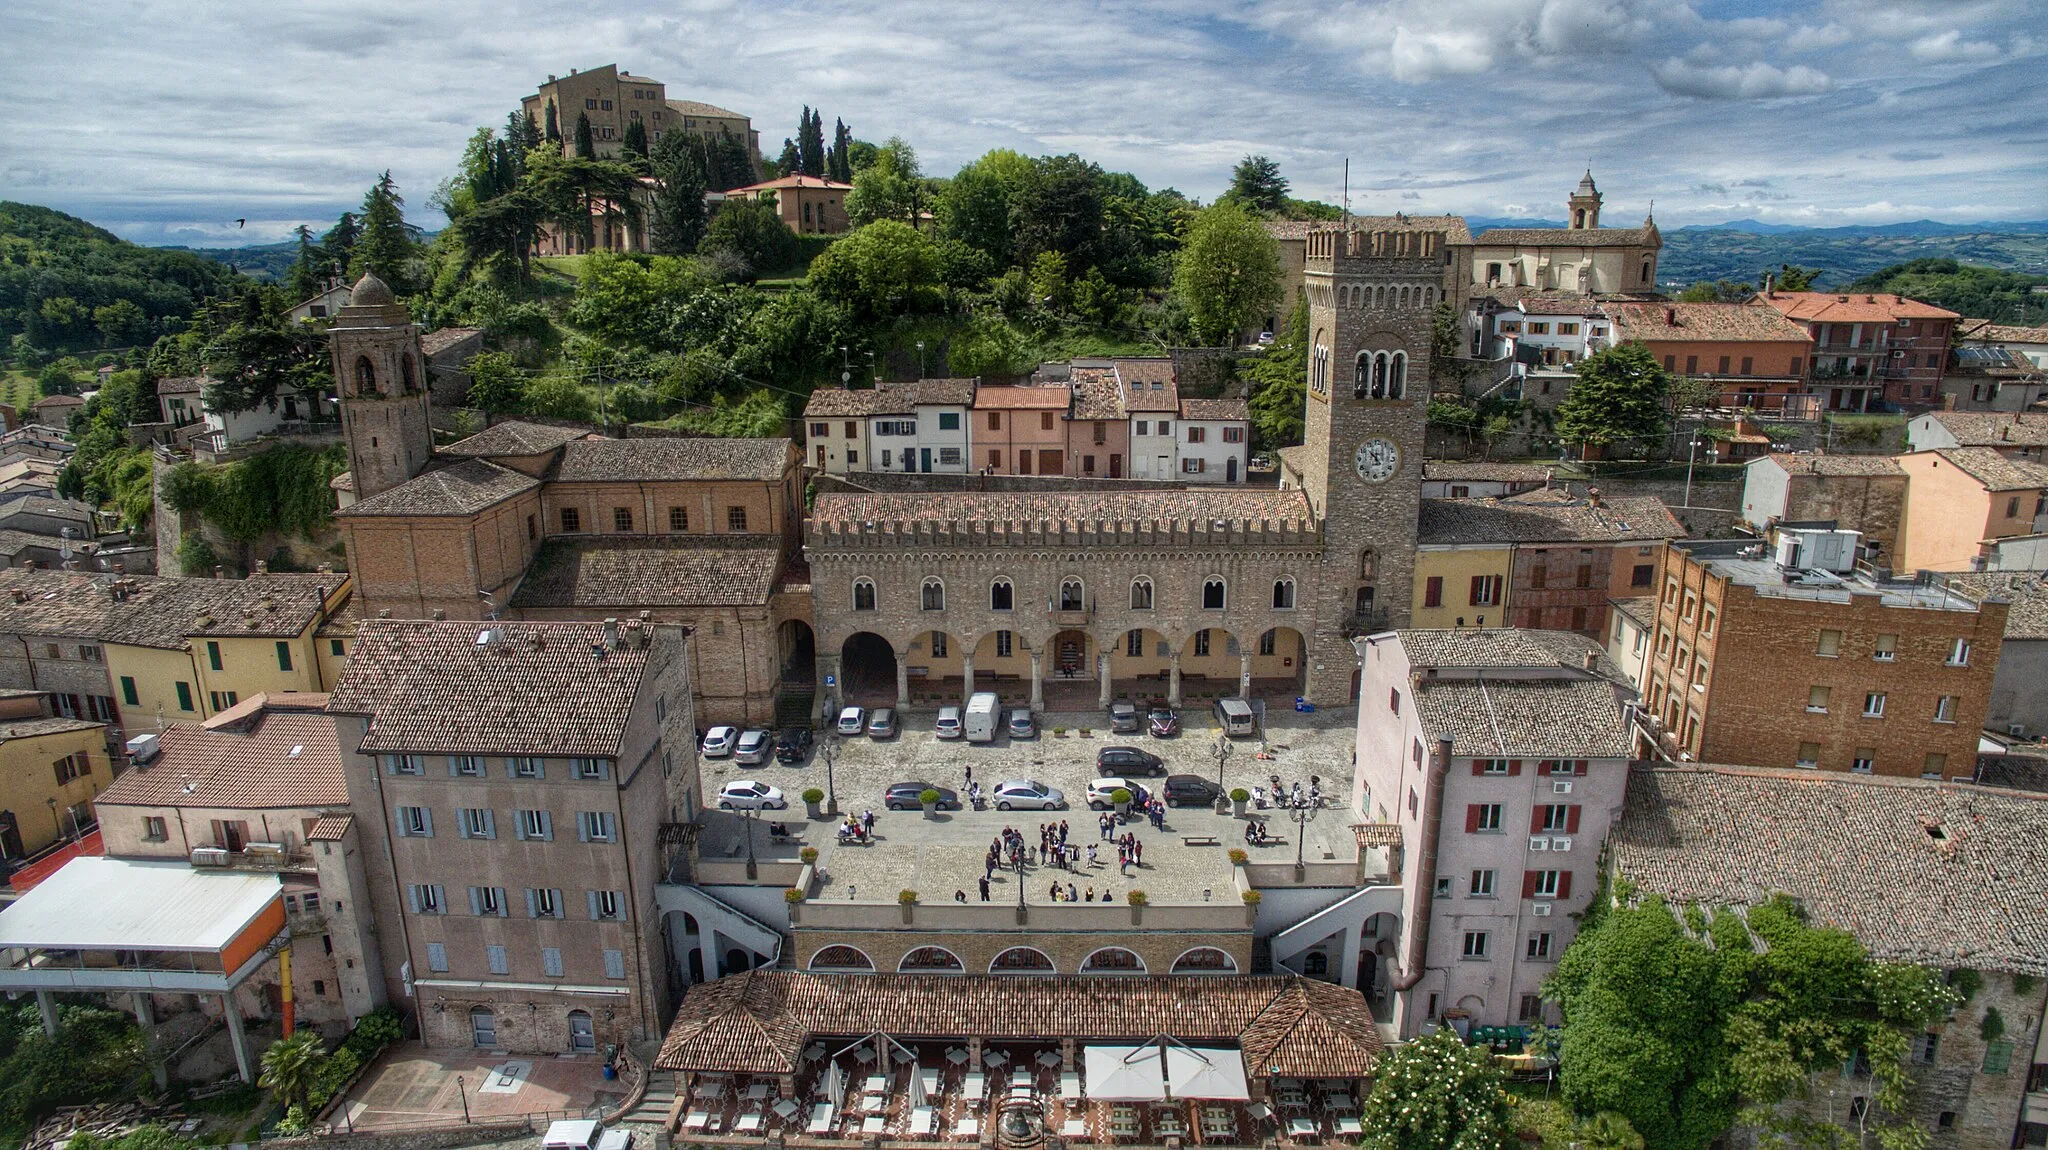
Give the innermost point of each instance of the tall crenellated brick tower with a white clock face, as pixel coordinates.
(1373, 290)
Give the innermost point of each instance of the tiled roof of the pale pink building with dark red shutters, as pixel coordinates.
(1572, 719)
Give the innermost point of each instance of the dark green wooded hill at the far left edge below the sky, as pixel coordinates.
(73, 287)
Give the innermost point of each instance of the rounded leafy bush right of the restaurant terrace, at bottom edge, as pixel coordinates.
(1437, 1094)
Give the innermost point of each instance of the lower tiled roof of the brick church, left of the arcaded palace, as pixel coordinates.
(652, 572)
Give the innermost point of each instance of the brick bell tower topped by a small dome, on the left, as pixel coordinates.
(382, 382)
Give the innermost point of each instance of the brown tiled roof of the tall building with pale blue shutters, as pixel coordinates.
(542, 689)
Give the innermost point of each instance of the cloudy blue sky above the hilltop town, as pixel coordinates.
(169, 120)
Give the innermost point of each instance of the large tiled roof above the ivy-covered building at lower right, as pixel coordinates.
(1940, 875)
